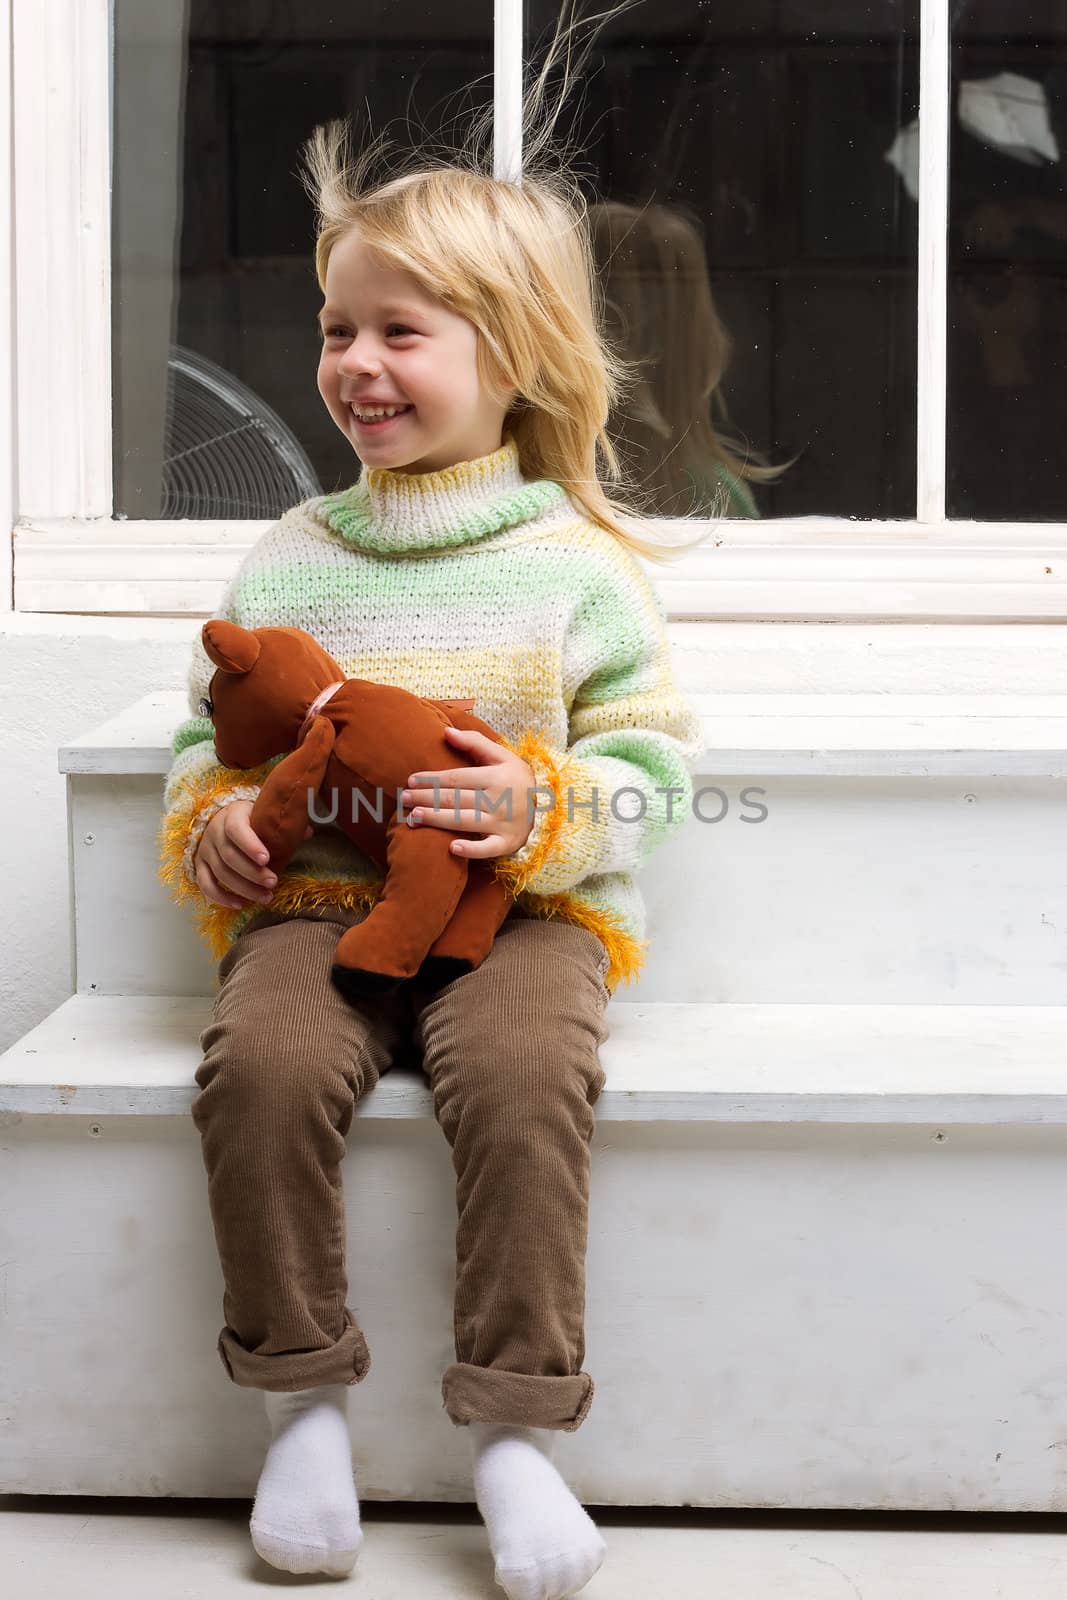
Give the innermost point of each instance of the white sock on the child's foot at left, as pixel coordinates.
(306, 1518)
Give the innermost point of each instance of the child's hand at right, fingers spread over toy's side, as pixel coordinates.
(498, 775)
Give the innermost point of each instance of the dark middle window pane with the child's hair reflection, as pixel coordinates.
(753, 177)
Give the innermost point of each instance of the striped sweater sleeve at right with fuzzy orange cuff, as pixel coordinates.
(623, 785)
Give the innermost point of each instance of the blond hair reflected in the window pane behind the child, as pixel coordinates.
(660, 303)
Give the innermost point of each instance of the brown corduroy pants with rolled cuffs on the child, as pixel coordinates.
(511, 1057)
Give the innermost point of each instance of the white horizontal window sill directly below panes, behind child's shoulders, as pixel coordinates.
(773, 575)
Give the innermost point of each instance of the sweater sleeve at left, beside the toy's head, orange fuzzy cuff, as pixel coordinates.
(198, 785)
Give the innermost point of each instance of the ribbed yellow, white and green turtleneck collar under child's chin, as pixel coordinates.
(396, 513)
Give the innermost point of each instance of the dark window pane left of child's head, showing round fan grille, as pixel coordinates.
(215, 297)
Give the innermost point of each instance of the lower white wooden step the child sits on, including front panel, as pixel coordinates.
(844, 1313)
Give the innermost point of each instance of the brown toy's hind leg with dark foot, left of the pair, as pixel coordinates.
(423, 886)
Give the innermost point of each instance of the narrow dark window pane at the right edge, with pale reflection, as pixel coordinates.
(1009, 262)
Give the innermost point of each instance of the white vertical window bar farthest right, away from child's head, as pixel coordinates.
(933, 258)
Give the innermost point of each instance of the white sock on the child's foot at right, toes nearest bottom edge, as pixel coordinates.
(545, 1543)
